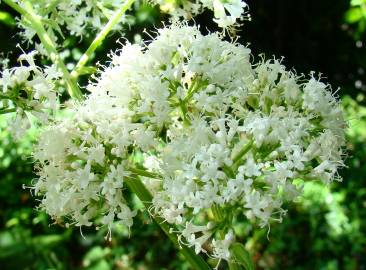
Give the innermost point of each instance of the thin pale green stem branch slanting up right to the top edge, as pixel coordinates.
(100, 37)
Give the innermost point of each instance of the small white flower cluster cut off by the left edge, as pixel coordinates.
(28, 90)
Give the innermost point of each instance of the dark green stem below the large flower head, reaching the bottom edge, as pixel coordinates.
(137, 187)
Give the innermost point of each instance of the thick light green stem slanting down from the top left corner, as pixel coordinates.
(48, 44)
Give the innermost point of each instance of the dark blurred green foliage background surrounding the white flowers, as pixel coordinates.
(326, 229)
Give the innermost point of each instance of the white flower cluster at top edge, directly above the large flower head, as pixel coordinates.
(226, 12)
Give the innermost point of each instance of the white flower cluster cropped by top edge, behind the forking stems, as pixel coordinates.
(80, 17)
